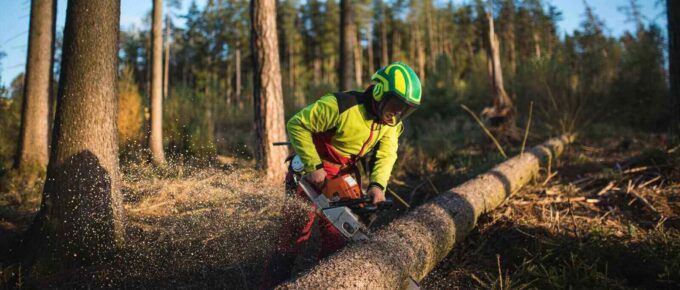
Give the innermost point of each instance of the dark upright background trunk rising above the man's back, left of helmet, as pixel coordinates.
(347, 37)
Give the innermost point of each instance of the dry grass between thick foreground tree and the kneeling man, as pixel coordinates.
(188, 227)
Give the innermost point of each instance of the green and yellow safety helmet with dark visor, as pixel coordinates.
(396, 92)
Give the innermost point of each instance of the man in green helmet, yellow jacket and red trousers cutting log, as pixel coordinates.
(331, 136)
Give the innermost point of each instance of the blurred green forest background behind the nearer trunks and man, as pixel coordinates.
(586, 78)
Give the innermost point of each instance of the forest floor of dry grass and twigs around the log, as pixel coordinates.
(607, 215)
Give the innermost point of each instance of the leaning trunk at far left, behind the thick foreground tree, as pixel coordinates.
(32, 152)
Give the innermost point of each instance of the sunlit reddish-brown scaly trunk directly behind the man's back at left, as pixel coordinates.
(267, 92)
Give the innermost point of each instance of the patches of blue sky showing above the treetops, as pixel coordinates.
(14, 19)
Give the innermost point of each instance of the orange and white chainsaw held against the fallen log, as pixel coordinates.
(341, 201)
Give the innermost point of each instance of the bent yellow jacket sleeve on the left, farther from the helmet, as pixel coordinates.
(318, 117)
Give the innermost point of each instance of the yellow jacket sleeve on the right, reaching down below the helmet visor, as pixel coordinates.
(386, 157)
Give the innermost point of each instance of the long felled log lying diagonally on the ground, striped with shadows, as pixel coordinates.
(412, 245)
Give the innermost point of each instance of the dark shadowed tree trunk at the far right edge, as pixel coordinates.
(673, 10)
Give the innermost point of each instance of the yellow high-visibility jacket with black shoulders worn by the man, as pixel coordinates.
(346, 122)
